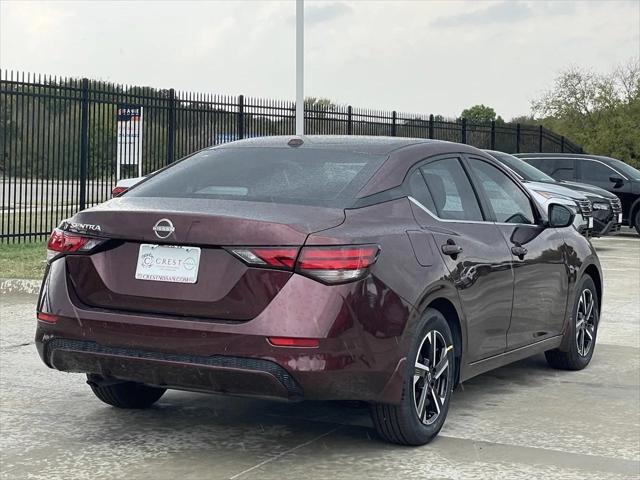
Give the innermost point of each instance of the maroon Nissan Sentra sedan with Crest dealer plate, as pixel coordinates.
(385, 270)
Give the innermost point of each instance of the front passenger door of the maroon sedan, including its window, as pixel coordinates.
(537, 254)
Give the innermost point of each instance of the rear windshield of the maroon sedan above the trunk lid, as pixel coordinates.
(276, 175)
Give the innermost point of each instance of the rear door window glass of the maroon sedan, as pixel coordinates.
(452, 194)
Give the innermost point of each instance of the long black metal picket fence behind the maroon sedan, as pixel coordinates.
(58, 138)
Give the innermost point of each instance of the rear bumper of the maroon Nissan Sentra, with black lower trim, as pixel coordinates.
(359, 356)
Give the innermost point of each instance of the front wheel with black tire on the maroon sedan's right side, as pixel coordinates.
(570, 357)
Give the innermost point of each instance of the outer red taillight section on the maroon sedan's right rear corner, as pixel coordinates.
(337, 264)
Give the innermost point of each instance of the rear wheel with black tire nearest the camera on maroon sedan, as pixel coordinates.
(401, 423)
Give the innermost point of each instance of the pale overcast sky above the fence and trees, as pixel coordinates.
(419, 57)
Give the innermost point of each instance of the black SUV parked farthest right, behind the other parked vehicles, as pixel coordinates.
(606, 173)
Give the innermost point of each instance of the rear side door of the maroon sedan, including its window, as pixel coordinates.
(473, 250)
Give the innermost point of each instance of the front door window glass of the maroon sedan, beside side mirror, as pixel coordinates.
(508, 201)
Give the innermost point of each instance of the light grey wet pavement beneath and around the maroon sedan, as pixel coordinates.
(524, 421)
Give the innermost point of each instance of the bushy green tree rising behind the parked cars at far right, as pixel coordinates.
(601, 112)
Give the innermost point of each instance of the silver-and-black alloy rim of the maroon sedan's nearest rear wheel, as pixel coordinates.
(431, 377)
